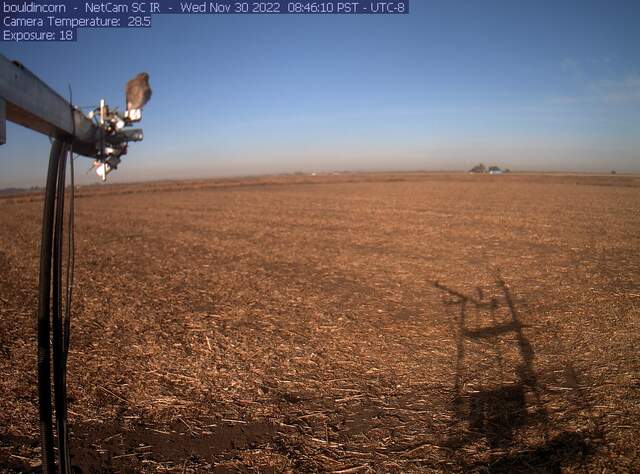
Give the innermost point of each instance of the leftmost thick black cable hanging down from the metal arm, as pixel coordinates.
(44, 301)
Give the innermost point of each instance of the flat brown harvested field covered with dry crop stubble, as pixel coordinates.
(347, 324)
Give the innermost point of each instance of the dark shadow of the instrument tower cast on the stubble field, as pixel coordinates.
(498, 396)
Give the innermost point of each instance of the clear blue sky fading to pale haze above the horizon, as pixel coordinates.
(538, 85)
